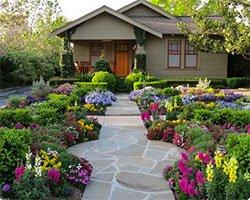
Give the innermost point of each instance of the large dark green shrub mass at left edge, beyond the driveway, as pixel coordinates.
(22, 67)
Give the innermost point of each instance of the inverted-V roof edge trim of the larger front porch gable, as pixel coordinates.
(103, 9)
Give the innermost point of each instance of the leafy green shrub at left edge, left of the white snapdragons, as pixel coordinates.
(14, 144)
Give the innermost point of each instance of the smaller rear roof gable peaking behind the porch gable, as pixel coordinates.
(144, 8)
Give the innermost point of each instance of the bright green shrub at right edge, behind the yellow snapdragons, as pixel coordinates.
(239, 147)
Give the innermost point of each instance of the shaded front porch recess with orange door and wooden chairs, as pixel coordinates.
(119, 54)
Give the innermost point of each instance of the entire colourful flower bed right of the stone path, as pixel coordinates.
(212, 127)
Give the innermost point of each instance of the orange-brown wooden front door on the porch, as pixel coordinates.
(122, 59)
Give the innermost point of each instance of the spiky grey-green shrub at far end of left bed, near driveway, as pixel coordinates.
(40, 88)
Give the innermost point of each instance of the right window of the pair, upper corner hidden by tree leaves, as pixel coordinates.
(191, 56)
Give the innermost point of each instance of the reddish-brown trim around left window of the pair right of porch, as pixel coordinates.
(174, 52)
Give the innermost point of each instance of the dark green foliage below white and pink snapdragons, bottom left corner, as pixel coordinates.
(32, 187)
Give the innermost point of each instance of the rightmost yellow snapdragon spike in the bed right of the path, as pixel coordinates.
(230, 168)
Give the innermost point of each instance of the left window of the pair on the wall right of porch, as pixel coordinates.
(174, 53)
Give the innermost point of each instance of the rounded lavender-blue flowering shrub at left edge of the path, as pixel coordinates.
(100, 98)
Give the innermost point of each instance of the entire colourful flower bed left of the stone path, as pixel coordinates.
(42, 126)
